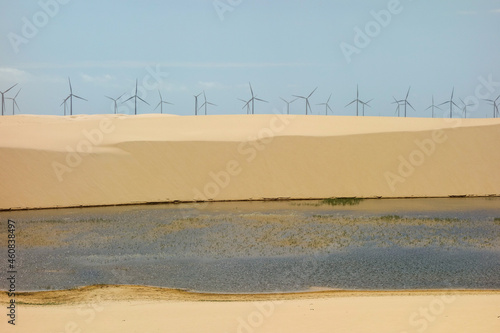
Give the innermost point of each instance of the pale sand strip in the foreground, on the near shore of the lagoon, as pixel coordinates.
(119, 309)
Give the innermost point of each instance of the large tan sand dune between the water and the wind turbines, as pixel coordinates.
(51, 161)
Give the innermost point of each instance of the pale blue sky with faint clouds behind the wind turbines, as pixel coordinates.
(283, 47)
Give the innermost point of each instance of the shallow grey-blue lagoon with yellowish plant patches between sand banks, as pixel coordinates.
(265, 246)
